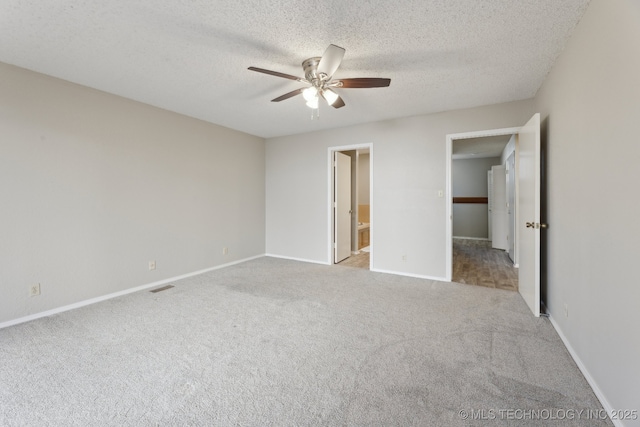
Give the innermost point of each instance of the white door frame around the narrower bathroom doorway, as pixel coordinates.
(330, 196)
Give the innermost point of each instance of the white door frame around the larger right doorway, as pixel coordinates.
(449, 202)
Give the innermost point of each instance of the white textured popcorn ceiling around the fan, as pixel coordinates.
(191, 57)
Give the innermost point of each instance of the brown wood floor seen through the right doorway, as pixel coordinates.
(475, 262)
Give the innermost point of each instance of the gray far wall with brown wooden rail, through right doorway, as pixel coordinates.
(469, 179)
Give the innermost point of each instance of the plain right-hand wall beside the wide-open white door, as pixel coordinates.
(590, 105)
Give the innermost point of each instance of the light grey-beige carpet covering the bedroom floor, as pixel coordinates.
(274, 342)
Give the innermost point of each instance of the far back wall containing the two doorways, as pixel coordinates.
(409, 167)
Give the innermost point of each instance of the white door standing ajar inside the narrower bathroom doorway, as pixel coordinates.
(342, 207)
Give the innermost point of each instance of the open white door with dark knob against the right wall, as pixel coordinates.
(529, 213)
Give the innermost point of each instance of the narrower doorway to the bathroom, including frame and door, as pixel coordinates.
(350, 205)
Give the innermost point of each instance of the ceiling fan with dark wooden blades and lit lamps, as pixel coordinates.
(318, 74)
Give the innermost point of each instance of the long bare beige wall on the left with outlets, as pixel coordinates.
(94, 186)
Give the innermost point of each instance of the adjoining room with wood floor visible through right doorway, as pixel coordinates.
(484, 211)
